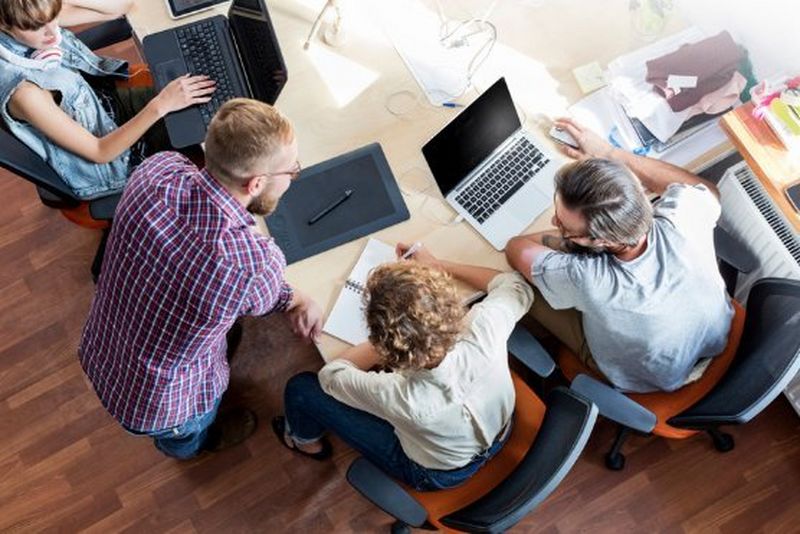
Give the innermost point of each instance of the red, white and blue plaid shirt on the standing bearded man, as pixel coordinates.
(181, 264)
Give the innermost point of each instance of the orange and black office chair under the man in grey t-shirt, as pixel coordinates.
(762, 356)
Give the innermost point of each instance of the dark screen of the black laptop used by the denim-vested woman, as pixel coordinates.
(258, 47)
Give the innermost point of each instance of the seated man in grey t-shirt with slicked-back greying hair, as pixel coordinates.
(632, 289)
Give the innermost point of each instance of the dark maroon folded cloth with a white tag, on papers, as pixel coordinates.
(711, 61)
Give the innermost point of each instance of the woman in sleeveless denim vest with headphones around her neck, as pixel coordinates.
(91, 135)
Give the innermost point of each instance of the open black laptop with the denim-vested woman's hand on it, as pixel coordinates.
(241, 53)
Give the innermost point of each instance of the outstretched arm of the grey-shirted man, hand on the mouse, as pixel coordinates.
(654, 174)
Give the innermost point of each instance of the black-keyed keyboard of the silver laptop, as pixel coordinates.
(498, 182)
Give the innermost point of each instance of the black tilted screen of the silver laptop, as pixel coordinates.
(472, 136)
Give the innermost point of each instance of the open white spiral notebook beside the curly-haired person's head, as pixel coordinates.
(346, 320)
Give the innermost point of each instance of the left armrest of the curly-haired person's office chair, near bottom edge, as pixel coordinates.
(385, 493)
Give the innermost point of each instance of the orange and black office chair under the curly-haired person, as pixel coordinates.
(544, 444)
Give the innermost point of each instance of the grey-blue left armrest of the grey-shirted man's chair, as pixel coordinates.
(614, 405)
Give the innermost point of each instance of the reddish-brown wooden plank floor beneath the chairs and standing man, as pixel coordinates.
(65, 465)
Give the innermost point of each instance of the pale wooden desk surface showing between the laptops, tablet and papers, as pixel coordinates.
(337, 100)
